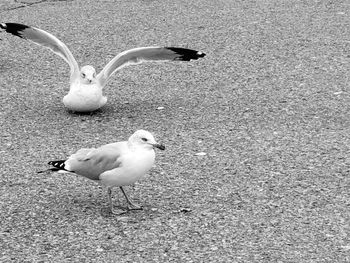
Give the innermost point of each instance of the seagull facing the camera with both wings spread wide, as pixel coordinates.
(85, 92)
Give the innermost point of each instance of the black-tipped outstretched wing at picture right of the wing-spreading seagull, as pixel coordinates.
(142, 54)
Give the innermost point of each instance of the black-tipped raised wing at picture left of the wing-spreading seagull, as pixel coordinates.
(45, 39)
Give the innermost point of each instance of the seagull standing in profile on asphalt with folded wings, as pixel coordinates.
(114, 164)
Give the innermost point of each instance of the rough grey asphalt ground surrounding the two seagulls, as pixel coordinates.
(269, 105)
